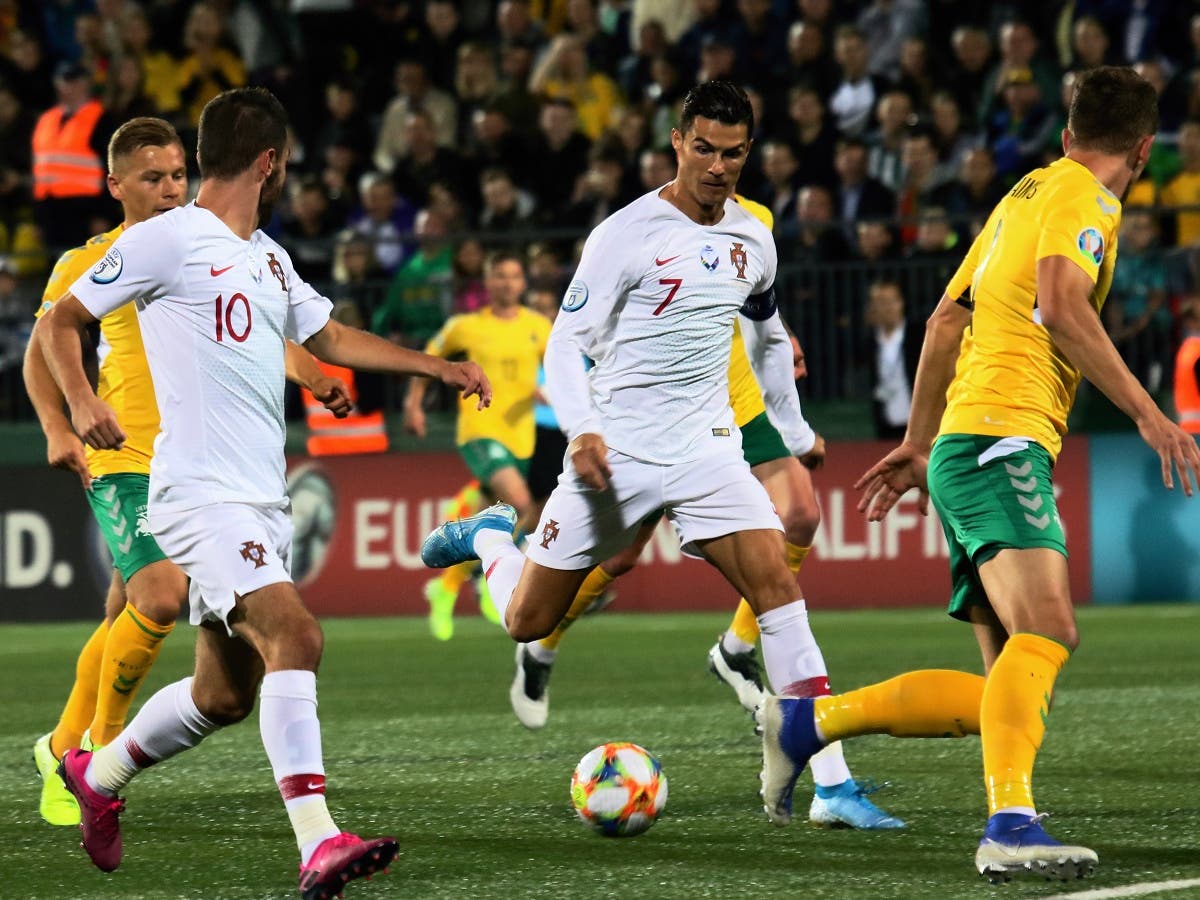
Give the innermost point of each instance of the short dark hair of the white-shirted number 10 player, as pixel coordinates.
(236, 128)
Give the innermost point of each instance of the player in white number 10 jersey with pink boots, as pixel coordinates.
(215, 299)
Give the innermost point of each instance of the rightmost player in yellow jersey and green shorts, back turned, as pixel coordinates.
(1003, 357)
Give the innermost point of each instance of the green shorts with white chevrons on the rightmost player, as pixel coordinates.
(992, 495)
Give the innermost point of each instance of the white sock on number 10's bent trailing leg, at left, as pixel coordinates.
(167, 724)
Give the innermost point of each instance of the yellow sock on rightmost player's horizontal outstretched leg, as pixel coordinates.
(928, 704)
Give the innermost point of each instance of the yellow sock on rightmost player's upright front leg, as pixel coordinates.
(1016, 704)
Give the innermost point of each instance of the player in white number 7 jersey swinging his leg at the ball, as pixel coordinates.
(653, 303)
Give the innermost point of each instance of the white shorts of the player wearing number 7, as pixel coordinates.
(705, 499)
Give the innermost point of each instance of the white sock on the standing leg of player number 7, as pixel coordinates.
(796, 669)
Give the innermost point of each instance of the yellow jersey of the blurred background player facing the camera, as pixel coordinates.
(511, 352)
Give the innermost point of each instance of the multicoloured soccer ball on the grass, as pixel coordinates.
(619, 790)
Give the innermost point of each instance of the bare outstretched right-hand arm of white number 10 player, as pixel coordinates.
(351, 347)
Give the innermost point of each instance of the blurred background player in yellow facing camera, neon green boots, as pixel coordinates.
(509, 341)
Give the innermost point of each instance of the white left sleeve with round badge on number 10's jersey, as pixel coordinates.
(141, 265)
